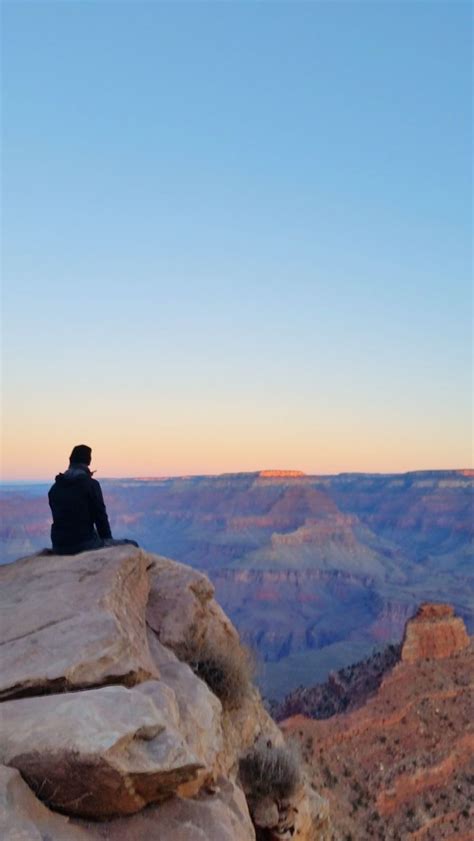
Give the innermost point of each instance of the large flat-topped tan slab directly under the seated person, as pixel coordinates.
(74, 621)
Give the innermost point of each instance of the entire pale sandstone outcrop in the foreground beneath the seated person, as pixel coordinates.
(104, 721)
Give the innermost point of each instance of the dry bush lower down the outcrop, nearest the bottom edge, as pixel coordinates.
(270, 772)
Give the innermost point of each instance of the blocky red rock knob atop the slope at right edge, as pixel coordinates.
(434, 632)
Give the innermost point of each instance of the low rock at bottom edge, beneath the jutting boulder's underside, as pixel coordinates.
(219, 816)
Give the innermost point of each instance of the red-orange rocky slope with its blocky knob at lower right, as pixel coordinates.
(401, 766)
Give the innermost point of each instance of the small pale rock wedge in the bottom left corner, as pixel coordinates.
(24, 818)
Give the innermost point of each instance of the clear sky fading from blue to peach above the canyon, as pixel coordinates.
(236, 236)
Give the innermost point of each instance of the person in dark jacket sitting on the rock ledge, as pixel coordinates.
(80, 521)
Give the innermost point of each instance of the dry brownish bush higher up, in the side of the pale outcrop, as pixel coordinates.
(227, 672)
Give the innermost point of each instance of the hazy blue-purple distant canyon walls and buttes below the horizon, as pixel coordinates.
(315, 571)
